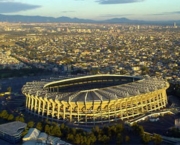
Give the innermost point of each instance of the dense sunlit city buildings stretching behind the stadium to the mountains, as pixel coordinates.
(91, 48)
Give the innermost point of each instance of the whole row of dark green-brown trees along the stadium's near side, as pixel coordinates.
(115, 134)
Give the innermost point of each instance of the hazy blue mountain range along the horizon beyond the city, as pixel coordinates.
(43, 19)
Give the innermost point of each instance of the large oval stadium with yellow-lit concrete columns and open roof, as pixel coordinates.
(96, 98)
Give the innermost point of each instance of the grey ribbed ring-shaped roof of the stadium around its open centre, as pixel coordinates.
(140, 86)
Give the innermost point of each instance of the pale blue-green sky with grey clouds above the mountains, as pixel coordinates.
(95, 9)
